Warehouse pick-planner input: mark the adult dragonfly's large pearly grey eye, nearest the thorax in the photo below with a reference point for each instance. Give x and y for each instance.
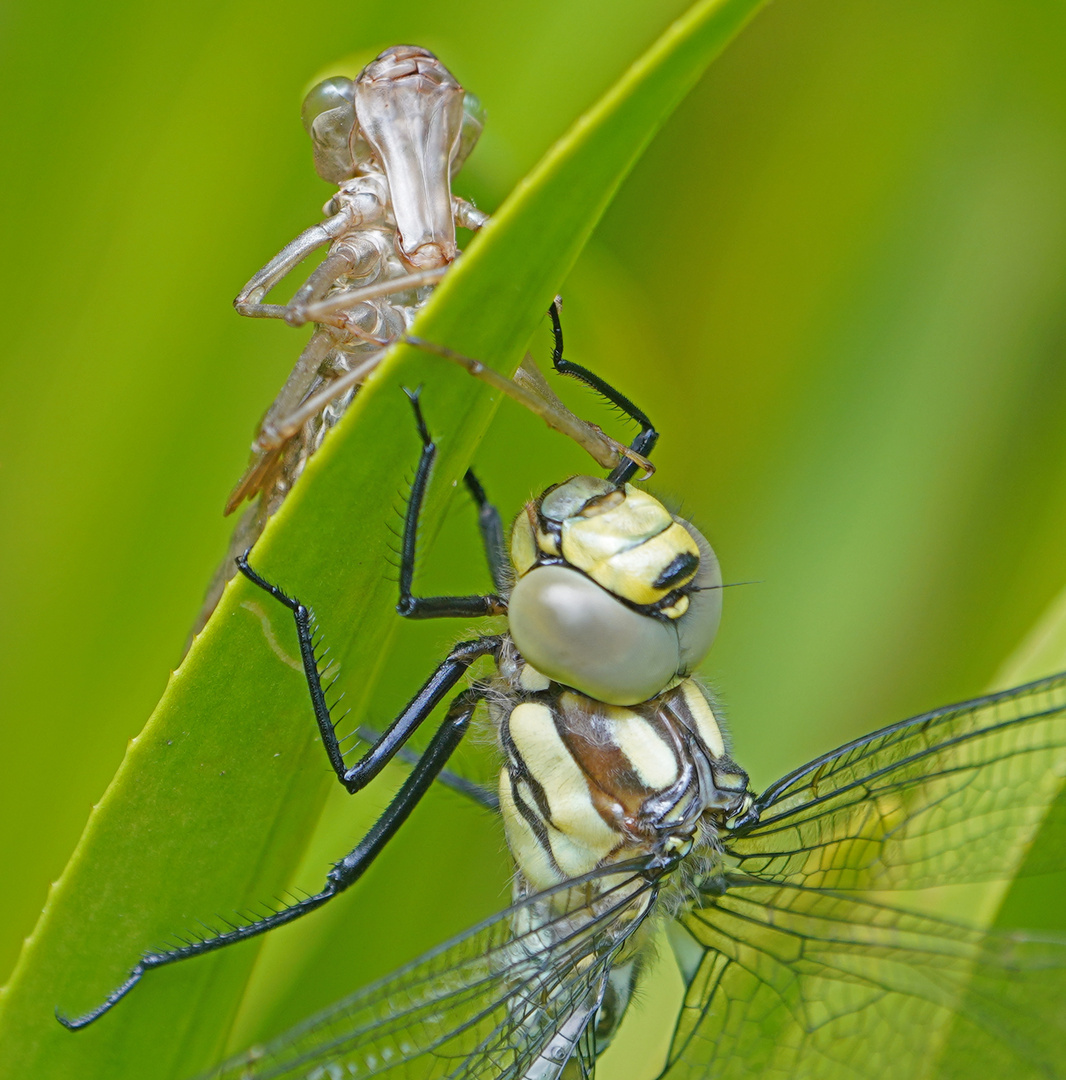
(578, 634)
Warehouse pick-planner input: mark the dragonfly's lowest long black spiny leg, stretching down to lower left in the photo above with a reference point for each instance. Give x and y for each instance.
(344, 874)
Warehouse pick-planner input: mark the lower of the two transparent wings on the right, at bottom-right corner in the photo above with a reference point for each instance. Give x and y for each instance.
(799, 983)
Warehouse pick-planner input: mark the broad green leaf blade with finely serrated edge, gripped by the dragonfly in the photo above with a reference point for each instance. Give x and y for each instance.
(214, 801)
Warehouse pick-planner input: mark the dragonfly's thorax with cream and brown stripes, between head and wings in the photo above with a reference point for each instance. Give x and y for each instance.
(587, 784)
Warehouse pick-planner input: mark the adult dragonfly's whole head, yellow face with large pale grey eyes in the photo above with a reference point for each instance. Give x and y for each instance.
(615, 596)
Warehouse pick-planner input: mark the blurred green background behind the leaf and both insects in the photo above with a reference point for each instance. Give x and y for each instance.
(836, 281)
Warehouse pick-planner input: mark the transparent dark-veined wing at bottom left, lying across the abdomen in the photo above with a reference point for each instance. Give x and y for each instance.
(511, 998)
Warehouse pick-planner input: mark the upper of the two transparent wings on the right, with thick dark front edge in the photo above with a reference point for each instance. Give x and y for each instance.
(955, 795)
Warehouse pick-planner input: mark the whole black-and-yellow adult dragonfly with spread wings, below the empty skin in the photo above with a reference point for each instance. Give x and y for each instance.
(799, 915)
